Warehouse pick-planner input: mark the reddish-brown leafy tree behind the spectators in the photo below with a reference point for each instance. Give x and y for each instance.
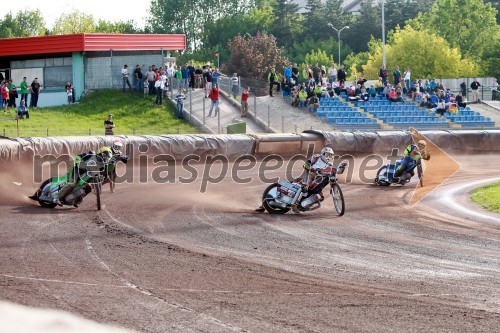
(252, 56)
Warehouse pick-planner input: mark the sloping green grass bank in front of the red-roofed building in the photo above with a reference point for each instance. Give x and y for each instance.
(132, 114)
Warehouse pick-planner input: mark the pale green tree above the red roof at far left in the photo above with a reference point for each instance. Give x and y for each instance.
(26, 23)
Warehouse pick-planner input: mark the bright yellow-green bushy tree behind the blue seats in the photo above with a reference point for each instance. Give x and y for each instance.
(428, 55)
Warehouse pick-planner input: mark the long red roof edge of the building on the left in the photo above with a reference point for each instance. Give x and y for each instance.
(90, 42)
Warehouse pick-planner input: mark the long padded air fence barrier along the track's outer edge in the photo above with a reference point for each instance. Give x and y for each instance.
(235, 146)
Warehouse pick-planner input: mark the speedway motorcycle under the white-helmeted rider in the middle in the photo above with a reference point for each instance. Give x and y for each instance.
(279, 197)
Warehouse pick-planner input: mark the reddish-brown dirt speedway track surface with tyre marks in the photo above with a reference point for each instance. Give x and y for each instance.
(165, 258)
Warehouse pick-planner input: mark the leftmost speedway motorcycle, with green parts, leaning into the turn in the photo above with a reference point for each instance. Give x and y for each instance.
(89, 172)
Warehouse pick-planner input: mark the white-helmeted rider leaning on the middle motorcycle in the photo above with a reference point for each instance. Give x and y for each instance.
(311, 167)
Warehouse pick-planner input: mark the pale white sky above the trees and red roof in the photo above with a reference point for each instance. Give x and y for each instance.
(109, 10)
